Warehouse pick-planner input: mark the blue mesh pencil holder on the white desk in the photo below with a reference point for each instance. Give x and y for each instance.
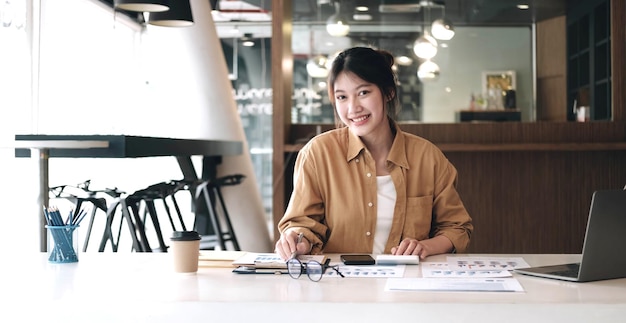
(62, 243)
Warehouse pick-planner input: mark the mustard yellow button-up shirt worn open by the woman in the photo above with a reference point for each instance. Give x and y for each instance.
(334, 196)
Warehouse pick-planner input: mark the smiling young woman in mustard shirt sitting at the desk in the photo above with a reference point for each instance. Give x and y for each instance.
(369, 187)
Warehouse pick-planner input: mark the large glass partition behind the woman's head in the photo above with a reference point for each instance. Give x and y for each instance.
(463, 62)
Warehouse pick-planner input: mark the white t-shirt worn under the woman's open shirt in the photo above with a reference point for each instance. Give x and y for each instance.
(386, 202)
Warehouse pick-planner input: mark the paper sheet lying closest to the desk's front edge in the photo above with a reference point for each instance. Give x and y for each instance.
(454, 284)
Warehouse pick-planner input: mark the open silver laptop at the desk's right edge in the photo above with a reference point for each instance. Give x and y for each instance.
(604, 248)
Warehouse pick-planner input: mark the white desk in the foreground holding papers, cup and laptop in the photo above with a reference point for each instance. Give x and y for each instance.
(140, 287)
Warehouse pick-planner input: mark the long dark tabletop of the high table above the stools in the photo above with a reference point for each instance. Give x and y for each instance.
(122, 146)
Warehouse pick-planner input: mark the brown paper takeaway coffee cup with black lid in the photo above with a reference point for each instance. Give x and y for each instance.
(185, 248)
